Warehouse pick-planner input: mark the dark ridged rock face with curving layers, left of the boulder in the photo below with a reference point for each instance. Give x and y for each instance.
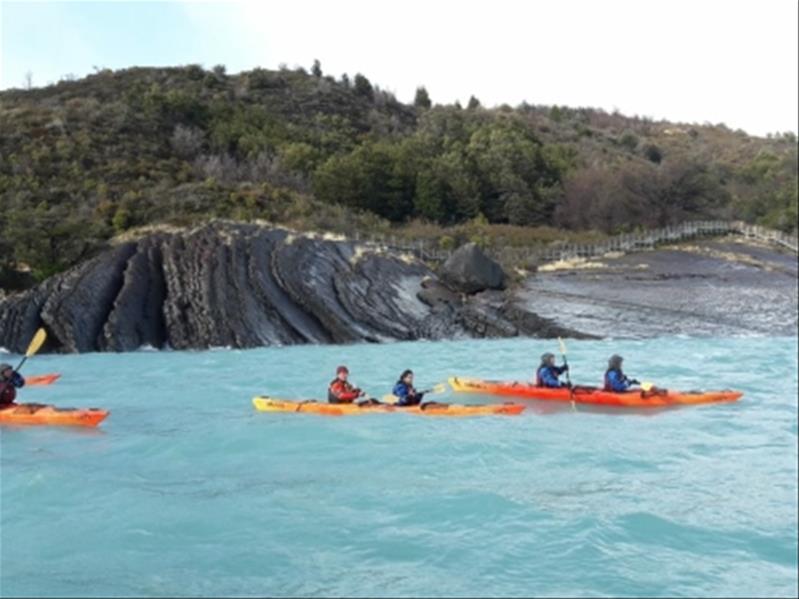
(247, 286)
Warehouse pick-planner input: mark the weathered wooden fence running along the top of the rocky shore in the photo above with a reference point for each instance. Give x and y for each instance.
(632, 242)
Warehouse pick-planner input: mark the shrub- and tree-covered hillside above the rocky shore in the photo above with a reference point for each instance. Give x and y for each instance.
(82, 161)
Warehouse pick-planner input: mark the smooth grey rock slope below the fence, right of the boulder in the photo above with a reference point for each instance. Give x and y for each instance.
(715, 287)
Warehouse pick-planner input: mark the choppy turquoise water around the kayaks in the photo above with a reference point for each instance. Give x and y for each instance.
(185, 490)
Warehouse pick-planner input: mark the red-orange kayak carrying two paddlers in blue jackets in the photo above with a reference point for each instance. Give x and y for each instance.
(593, 395)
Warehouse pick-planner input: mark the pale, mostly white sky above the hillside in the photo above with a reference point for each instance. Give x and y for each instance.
(719, 61)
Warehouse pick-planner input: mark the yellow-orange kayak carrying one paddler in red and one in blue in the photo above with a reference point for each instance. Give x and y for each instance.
(271, 404)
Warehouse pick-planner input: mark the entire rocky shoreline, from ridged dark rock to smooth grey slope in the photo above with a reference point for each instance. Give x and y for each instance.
(245, 285)
